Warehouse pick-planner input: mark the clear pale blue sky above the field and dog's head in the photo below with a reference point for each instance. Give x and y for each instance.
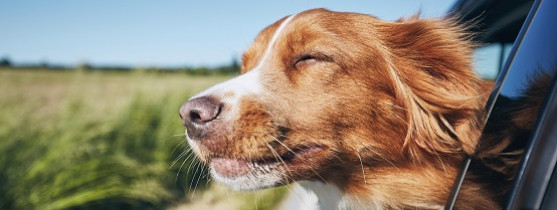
(160, 33)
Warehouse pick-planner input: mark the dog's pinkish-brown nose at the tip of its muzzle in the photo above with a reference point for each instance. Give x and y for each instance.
(199, 111)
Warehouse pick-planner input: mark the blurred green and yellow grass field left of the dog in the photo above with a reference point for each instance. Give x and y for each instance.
(104, 140)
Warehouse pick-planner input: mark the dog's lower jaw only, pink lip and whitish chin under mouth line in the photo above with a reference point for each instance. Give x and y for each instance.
(285, 165)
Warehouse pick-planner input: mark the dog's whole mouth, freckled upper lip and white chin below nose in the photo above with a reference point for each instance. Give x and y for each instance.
(261, 156)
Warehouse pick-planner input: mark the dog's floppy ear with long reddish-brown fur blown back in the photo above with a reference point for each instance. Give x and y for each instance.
(430, 65)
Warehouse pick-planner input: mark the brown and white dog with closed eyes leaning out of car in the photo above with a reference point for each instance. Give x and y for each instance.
(365, 113)
